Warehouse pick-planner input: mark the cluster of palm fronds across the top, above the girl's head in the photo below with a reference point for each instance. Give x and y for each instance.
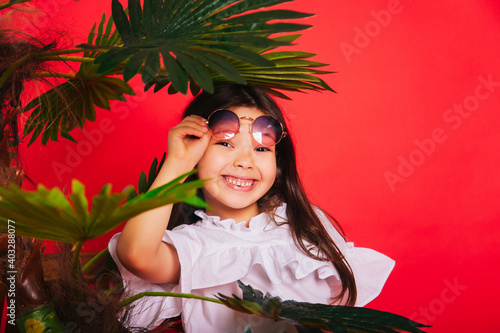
(197, 42)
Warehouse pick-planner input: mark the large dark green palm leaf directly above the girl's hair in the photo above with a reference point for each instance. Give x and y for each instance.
(197, 40)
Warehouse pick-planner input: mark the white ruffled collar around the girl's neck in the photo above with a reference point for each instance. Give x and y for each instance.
(258, 222)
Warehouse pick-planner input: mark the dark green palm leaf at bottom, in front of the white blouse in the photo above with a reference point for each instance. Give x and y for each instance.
(309, 317)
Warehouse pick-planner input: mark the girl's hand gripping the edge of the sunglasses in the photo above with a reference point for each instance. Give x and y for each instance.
(187, 143)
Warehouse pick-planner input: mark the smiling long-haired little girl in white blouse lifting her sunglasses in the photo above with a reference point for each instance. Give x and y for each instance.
(260, 227)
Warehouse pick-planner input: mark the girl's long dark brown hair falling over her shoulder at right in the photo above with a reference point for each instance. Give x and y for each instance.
(304, 223)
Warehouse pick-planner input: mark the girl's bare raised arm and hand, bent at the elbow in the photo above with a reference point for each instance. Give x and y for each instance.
(187, 143)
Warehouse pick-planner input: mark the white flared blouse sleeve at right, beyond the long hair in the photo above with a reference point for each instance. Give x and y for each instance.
(371, 268)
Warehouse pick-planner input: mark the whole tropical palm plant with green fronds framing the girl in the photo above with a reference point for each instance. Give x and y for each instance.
(183, 46)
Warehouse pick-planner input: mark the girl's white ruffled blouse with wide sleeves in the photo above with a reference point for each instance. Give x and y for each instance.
(214, 254)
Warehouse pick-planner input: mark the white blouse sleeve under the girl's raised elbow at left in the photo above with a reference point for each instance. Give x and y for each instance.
(146, 312)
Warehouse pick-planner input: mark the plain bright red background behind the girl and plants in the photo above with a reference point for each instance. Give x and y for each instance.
(398, 80)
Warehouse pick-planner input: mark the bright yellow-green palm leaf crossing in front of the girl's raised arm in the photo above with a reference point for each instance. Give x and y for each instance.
(48, 214)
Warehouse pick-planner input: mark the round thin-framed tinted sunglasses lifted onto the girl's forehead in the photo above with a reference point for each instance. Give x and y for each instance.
(225, 124)
